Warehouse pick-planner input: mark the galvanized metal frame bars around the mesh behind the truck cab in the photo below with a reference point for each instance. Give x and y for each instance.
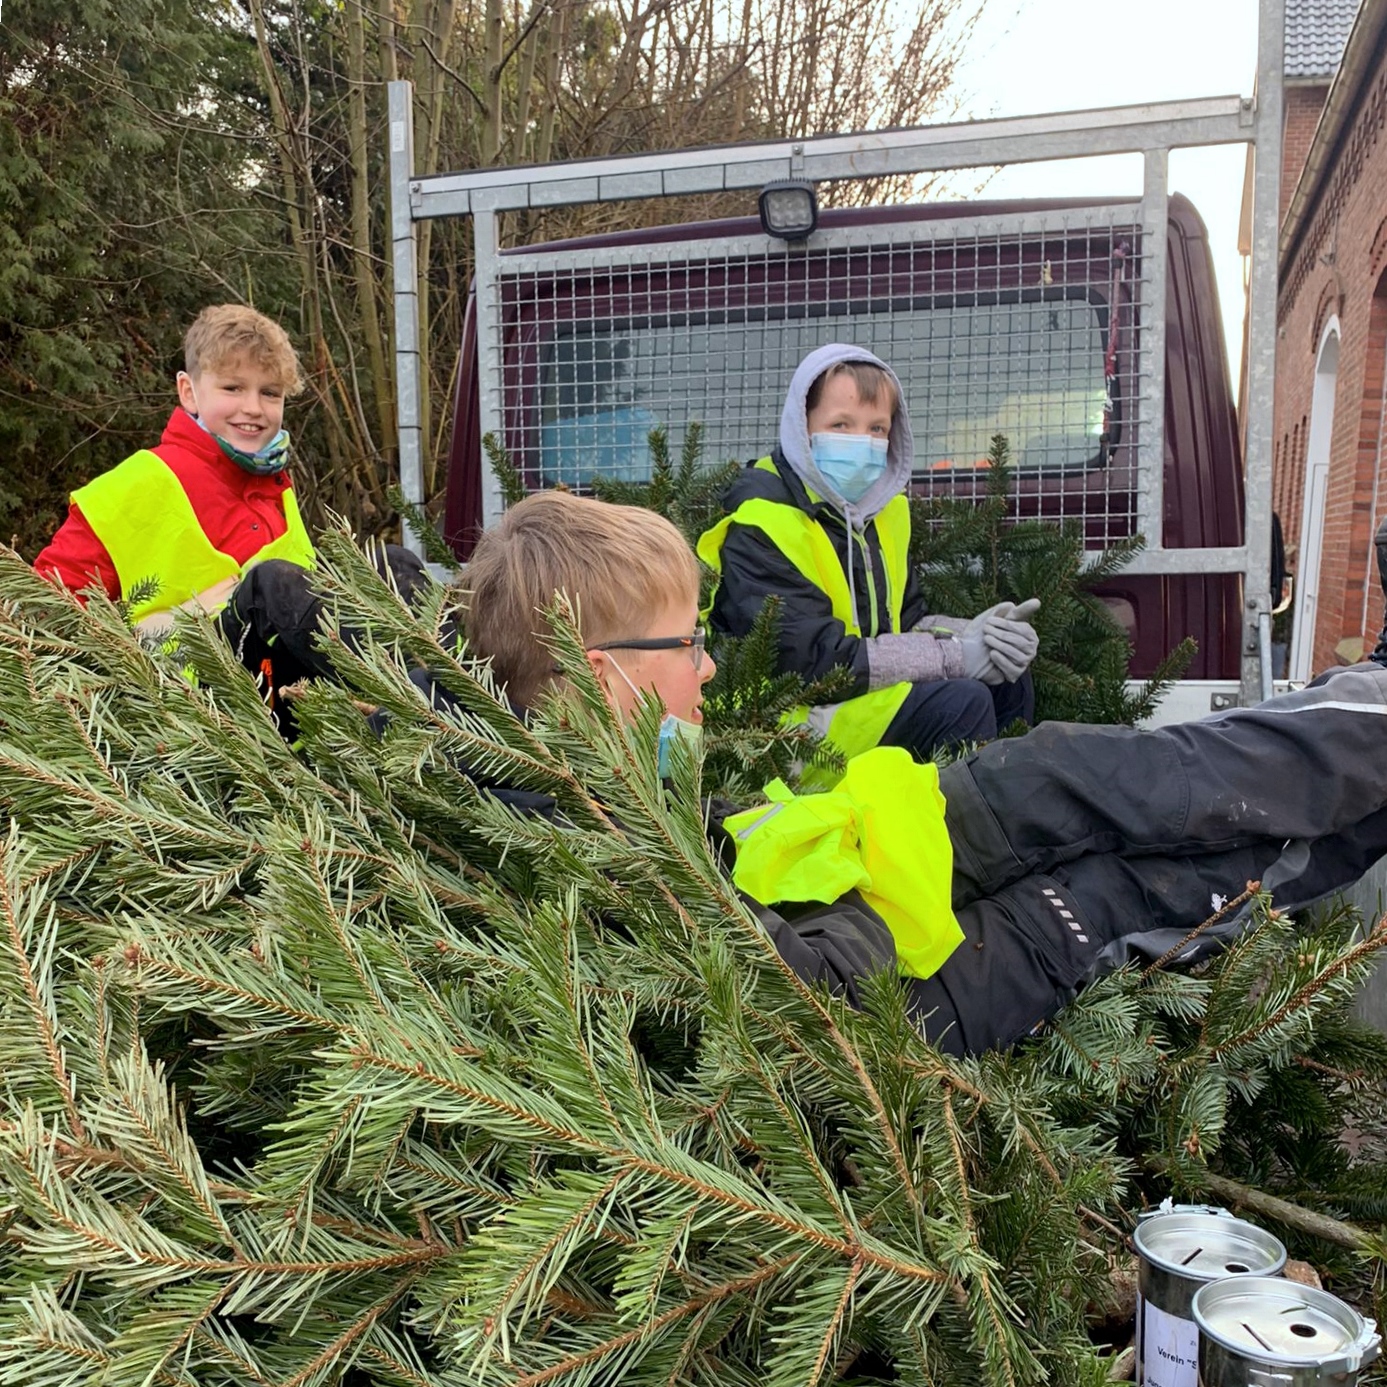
(1152, 130)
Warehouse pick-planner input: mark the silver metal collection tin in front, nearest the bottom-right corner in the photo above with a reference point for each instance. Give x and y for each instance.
(1267, 1332)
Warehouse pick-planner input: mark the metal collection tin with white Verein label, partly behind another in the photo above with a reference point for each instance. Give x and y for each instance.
(1181, 1249)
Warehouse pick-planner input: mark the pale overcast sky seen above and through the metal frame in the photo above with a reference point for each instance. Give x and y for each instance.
(1033, 56)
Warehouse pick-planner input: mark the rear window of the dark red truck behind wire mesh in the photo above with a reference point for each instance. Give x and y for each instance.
(1028, 364)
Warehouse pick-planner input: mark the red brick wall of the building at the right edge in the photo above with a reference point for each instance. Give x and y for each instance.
(1339, 270)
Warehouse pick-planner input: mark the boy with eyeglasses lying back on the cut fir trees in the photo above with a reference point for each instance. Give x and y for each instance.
(1042, 862)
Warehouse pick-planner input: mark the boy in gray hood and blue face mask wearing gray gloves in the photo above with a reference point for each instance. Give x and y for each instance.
(825, 525)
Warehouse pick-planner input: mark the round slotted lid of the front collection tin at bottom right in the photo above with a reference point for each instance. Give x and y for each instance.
(1282, 1323)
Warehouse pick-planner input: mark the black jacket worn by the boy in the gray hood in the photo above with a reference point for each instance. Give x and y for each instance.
(812, 641)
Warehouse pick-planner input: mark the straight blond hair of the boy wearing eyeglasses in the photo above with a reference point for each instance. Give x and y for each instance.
(621, 567)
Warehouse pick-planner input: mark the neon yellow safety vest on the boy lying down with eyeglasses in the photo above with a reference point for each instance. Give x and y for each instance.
(881, 832)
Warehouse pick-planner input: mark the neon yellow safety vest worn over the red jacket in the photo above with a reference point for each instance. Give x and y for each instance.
(144, 517)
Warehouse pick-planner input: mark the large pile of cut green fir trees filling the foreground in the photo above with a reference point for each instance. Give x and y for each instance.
(325, 1065)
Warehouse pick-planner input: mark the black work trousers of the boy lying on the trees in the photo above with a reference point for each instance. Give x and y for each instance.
(1078, 848)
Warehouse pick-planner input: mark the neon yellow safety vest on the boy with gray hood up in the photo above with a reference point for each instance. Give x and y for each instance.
(858, 725)
